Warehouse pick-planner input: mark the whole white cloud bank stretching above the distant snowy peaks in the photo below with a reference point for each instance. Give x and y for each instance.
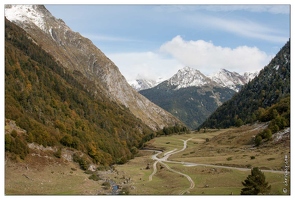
(178, 53)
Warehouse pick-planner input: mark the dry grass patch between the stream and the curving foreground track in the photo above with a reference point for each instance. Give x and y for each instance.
(163, 182)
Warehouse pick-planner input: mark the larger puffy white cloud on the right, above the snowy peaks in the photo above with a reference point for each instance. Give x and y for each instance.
(208, 58)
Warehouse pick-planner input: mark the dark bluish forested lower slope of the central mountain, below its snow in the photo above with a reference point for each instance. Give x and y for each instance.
(192, 105)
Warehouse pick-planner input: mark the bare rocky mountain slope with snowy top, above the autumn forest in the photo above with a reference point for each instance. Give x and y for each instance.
(80, 56)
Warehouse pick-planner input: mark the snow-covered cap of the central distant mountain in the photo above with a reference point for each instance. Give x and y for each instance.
(187, 77)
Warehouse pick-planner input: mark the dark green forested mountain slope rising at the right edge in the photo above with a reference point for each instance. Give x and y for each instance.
(269, 88)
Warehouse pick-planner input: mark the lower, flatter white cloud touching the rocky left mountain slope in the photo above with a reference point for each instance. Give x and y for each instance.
(150, 65)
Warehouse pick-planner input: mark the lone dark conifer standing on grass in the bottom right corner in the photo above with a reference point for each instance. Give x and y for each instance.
(255, 183)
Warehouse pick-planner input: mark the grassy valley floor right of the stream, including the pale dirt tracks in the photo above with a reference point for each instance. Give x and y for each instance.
(190, 165)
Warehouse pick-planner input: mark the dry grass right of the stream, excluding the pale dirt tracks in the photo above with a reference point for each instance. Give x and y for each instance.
(225, 147)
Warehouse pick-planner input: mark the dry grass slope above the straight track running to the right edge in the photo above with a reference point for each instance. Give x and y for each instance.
(233, 147)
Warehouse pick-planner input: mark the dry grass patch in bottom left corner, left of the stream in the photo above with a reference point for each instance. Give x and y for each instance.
(47, 176)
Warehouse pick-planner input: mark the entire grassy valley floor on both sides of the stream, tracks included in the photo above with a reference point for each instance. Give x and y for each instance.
(199, 163)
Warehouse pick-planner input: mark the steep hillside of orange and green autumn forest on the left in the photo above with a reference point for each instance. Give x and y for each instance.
(56, 108)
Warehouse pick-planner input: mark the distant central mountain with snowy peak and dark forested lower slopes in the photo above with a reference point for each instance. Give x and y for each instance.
(189, 95)
